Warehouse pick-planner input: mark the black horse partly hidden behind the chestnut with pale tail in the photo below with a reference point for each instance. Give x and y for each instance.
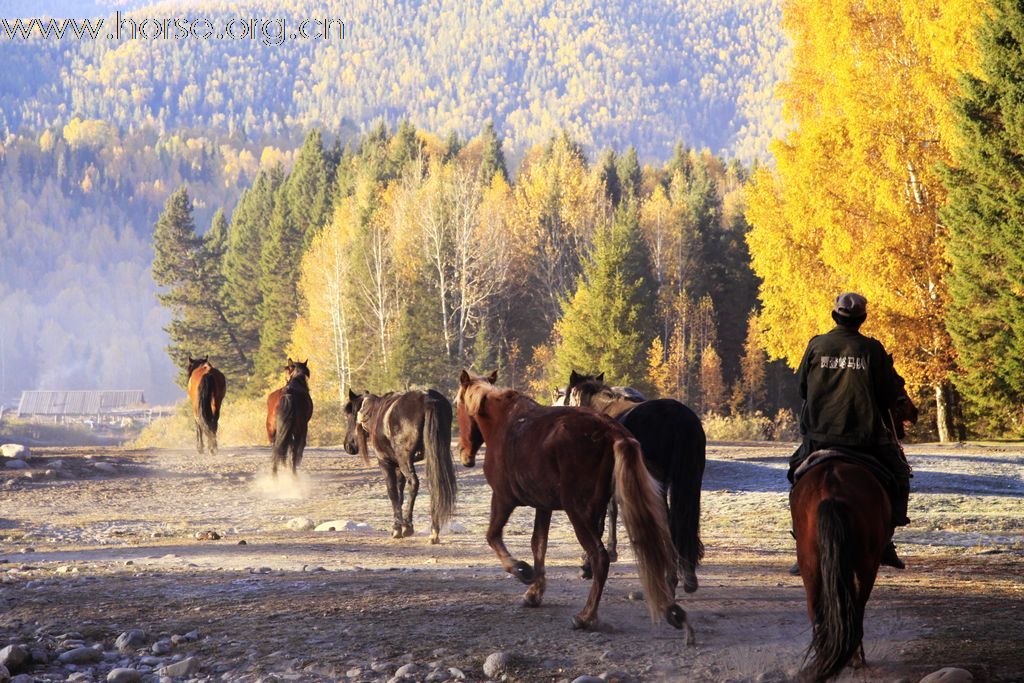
(674, 443)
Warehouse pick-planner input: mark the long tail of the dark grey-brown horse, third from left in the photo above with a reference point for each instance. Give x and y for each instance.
(438, 455)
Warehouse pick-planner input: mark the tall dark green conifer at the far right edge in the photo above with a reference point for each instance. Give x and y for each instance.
(986, 216)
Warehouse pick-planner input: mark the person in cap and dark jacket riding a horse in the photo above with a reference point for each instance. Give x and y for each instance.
(849, 387)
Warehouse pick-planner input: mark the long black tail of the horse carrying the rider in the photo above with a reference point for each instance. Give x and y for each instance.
(839, 624)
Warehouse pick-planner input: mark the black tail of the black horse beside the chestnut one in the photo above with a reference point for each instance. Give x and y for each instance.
(686, 480)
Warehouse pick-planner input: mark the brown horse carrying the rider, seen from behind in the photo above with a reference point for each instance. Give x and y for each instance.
(842, 518)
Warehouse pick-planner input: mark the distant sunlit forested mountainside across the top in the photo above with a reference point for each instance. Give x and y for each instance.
(612, 73)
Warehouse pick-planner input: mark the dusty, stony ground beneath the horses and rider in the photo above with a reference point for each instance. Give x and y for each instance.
(154, 566)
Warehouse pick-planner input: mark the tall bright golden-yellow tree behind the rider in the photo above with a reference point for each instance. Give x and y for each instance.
(852, 203)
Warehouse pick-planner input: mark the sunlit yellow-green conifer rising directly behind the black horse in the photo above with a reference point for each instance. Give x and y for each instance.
(606, 325)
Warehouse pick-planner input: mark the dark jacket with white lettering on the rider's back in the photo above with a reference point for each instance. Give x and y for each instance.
(847, 382)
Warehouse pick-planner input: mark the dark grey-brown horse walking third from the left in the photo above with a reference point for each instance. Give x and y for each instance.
(405, 429)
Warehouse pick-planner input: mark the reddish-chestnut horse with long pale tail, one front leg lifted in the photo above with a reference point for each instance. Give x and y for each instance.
(551, 458)
